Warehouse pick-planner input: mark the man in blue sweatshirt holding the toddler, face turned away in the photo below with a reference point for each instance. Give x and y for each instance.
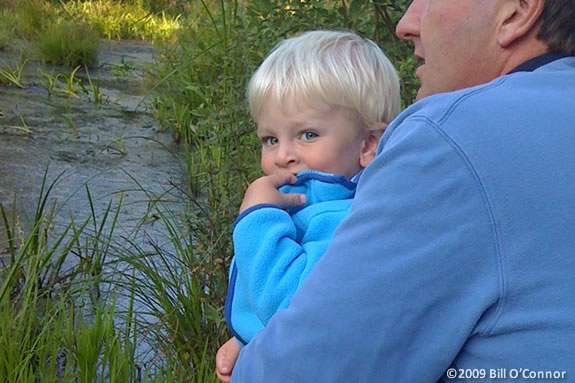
(458, 259)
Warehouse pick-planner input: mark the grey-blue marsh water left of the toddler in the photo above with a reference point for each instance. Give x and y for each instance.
(112, 149)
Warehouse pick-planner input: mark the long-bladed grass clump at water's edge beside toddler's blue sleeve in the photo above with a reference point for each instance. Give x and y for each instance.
(175, 287)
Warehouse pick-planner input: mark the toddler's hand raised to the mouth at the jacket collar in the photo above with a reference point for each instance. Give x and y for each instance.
(265, 190)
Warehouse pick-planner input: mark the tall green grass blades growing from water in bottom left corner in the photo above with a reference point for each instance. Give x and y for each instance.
(47, 333)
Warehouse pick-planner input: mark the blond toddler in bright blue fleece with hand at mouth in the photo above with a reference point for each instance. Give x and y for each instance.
(320, 101)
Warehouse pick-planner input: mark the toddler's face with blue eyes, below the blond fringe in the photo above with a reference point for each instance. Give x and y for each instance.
(325, 138)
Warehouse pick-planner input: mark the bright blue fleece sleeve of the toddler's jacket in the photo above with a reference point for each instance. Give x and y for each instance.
(270, 258)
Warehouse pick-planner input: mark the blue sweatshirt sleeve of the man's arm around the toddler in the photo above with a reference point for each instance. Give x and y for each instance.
(410, 275)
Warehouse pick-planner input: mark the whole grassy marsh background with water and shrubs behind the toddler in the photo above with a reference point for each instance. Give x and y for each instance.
(121, 276)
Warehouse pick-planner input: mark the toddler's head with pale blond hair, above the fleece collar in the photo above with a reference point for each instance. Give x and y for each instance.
(320, 99)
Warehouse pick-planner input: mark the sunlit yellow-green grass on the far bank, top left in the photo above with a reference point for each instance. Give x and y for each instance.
(67, 32)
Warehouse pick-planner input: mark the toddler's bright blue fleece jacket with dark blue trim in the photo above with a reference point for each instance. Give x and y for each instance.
(276, 249)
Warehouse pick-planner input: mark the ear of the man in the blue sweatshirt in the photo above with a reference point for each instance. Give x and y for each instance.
(519, 18)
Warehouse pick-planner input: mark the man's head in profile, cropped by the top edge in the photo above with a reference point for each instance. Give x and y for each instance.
(463, 43)
